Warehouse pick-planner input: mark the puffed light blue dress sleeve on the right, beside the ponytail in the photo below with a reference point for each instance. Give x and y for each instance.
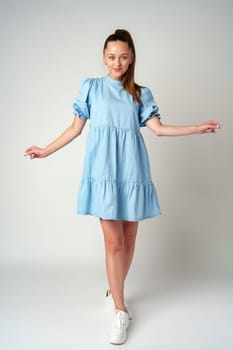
(148, 107)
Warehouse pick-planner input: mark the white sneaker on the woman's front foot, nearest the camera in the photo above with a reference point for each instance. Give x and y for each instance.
(119, 327)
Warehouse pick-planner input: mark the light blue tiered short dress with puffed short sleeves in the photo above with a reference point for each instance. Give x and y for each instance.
(116, 181)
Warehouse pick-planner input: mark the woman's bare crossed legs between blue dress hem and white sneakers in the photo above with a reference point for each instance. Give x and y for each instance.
(119, 240)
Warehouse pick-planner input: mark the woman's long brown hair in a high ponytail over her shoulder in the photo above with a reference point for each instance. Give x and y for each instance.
(128, 77)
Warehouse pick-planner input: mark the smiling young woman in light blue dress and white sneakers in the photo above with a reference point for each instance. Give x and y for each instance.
(116, 185)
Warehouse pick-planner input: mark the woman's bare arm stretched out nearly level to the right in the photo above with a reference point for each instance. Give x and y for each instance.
(155, 125)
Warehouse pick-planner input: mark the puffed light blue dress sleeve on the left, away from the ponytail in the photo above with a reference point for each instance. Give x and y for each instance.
(81, 105)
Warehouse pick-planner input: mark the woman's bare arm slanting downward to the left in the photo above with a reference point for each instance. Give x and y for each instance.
(74, 130)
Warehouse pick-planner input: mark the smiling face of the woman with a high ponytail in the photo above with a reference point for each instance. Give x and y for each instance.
(117, 58)
